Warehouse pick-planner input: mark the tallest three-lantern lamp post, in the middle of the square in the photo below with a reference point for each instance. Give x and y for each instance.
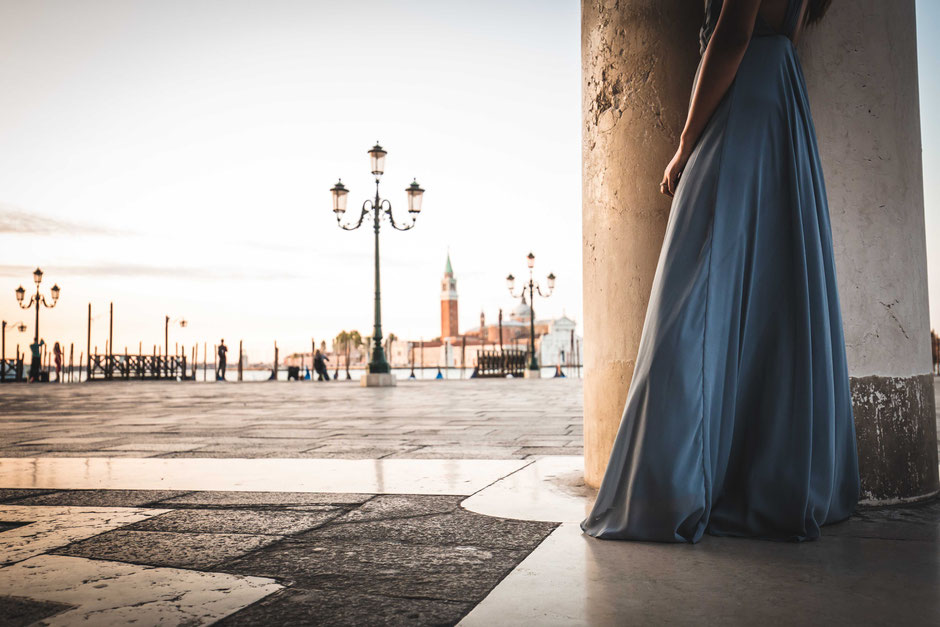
(379, 374)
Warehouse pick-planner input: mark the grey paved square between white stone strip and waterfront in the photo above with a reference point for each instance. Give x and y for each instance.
(469, 419)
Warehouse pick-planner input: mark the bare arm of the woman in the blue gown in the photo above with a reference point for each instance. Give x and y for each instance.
(719, 66)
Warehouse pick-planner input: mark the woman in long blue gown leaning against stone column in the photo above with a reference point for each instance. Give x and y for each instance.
(738, 419)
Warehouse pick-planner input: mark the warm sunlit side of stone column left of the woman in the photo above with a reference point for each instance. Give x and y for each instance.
(638, 59)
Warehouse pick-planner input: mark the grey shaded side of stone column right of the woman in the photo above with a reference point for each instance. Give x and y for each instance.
(861, 69)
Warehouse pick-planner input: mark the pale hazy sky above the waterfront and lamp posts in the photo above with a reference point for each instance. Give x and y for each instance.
(175, 158)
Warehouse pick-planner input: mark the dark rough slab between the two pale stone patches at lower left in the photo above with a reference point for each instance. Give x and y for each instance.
(197, 551)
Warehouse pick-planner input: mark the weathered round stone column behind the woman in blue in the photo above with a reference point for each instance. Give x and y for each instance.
(638, 59)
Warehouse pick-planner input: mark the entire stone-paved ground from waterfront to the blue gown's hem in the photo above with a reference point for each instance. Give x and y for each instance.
(430, 503)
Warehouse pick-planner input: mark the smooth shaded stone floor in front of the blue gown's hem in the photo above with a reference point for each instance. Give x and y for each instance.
(575, 579)
